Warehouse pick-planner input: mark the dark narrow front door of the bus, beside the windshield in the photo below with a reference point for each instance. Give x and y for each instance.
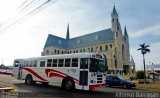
(84, 73)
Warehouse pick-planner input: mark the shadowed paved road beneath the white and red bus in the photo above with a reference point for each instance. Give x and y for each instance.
(58, 92)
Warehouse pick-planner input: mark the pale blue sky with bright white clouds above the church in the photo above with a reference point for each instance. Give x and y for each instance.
(27, 37)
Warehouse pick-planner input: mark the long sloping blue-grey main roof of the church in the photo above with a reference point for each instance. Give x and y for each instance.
(85, 40)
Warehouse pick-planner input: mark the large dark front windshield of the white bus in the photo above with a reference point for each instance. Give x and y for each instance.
(97, 65)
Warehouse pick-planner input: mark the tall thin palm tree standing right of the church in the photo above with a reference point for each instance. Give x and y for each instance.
(144, 49)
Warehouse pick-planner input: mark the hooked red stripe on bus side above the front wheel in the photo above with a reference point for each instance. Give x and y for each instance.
(52, 73)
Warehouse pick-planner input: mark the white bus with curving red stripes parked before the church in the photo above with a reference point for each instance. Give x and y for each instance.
(84, 71)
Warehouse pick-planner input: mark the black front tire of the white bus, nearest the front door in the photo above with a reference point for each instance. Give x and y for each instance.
(68, 84)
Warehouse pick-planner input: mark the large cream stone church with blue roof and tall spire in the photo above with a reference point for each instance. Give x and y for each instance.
(112, 42)
